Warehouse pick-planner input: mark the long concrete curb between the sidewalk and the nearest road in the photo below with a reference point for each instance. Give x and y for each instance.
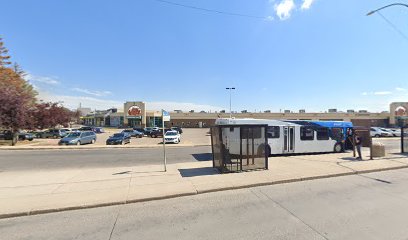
(45, 211)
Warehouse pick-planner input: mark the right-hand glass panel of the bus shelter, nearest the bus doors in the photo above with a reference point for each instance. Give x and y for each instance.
(253, 148)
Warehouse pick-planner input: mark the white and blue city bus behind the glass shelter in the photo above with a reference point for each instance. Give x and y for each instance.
(291, 136)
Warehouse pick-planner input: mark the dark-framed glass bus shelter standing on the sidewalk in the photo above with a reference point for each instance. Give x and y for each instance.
(237, 148)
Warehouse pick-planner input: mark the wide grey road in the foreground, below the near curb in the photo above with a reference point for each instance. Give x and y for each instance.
(370, 206)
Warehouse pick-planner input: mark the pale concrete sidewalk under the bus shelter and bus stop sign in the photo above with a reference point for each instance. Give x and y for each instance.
(34, 192)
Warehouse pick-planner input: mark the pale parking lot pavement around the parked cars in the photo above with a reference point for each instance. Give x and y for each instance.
(190, 136)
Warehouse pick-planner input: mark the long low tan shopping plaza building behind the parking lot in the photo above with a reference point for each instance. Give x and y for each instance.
(136, 114)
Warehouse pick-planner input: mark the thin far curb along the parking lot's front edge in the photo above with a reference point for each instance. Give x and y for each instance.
(98, 148)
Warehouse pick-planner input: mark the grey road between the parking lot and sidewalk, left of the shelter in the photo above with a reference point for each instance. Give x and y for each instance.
(64, 159)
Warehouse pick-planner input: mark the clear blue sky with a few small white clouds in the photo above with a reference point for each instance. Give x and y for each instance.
(278, 54)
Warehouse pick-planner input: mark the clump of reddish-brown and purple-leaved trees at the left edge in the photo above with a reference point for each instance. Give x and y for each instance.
(19, 108)
